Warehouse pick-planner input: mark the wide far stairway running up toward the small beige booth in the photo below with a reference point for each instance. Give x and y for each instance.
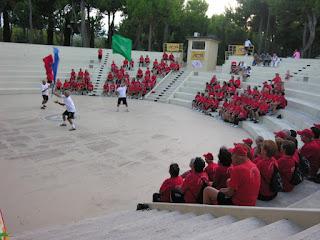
(167, 86)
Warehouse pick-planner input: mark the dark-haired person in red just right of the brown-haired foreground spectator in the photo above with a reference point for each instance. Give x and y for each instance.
(287, 164)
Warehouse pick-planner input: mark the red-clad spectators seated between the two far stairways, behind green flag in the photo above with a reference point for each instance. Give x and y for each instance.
(143, 82)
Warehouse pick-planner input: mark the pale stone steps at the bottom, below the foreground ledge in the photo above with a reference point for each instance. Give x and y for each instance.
(164, 224)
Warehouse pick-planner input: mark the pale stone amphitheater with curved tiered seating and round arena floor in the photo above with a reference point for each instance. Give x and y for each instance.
(86, 184)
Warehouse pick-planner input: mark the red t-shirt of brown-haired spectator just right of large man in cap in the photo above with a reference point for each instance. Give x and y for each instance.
(266, 168)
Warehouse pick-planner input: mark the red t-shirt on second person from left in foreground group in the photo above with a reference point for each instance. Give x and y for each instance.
(192, 186)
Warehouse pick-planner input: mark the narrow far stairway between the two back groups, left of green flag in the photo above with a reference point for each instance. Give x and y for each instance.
(99, 77)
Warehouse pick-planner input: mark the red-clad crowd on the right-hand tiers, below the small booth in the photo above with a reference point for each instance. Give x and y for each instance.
(234, 107)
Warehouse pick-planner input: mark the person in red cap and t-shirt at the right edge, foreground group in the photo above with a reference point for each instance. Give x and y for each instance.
(311, 151)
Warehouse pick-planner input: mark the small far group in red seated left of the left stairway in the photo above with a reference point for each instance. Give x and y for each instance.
(78, 83)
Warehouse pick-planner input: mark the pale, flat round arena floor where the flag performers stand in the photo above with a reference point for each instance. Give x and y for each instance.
(113, 161)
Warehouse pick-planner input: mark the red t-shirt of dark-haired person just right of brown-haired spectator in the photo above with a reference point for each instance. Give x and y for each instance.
(286, 168)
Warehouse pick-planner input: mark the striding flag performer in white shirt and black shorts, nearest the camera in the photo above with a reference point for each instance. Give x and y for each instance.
(71, 109)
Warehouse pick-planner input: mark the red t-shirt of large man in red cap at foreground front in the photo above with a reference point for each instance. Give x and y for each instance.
(245, 181)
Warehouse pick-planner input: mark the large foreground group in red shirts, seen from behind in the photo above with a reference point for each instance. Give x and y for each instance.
(244, 174)
